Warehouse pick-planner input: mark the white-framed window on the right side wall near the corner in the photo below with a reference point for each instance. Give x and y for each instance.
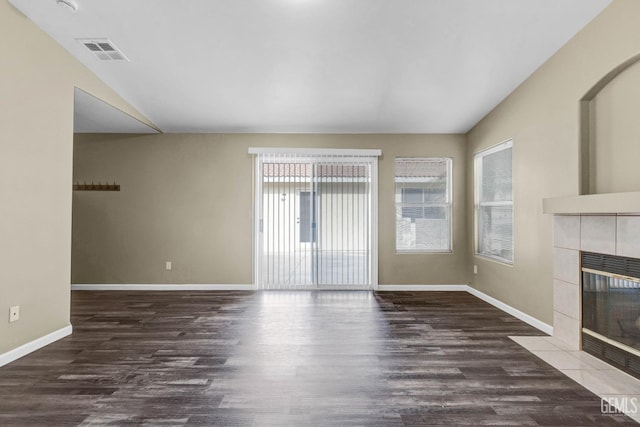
(494, 203)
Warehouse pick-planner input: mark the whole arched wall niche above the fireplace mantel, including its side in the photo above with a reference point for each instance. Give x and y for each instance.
(610, 132)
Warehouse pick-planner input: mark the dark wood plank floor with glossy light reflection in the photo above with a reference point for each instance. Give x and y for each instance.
(291, 358)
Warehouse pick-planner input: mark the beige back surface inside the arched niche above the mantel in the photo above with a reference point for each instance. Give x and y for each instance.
(616, 133)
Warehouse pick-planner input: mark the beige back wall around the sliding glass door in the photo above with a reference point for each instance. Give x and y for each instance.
(187, 198)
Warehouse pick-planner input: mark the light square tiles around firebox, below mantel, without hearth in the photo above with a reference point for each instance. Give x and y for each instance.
(614, 234)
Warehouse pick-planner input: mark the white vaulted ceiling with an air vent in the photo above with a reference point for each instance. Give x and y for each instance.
(325, 66)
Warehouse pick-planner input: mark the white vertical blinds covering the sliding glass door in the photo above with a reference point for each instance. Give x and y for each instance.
(315, 221)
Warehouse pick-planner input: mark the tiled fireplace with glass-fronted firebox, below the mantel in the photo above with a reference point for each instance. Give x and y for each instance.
(584, 248)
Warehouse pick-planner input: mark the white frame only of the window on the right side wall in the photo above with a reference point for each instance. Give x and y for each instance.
(477, 162)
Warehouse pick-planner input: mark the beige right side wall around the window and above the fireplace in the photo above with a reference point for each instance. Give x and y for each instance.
(542, 118)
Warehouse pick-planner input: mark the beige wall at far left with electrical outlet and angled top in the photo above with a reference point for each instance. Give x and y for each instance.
(37, 79)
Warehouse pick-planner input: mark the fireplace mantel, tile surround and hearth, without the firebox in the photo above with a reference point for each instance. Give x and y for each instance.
(602, 223)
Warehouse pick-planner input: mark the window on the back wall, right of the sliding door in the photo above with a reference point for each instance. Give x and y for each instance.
(423, 204)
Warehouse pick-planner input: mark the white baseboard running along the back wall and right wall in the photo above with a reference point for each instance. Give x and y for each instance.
(547, 329)
